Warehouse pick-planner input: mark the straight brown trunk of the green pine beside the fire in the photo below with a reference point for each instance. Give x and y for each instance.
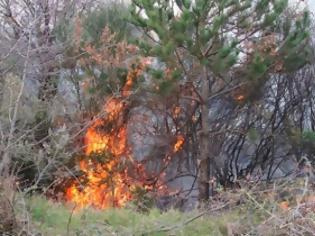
(204, 161)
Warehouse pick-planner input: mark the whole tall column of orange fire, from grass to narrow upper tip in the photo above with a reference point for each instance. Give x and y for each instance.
(105, 181)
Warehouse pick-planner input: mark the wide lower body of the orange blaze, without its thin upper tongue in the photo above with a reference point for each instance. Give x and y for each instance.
(107, 186)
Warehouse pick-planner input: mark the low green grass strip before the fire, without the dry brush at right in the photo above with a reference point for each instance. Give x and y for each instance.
(51, 218)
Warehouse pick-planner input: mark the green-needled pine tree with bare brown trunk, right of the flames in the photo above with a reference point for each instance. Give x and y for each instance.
(220, 38)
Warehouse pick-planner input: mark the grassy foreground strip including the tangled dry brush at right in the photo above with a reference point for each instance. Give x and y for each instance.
(254, 211)
